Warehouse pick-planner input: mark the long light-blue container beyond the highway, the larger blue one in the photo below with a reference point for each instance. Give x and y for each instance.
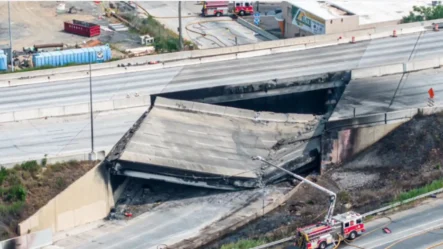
(73, 56)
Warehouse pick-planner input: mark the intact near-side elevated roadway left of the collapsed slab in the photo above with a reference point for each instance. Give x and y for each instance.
(33, 139)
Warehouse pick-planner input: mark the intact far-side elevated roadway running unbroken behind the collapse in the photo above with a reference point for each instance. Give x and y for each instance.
(284, 65)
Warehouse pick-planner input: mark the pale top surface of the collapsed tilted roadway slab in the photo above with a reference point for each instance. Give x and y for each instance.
(215, 140)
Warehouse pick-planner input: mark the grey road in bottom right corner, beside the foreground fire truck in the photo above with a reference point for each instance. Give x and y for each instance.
(417, 228)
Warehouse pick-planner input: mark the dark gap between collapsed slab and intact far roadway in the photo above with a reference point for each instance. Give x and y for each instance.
(314, 94)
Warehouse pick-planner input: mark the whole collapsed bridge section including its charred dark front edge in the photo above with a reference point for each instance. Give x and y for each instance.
(211, 146)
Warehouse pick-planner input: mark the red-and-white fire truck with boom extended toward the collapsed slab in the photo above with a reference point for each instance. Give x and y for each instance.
(321, 235)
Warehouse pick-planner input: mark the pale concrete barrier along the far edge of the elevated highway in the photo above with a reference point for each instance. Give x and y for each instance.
(298, 43)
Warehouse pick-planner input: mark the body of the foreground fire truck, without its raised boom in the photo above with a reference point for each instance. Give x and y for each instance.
(319, 236)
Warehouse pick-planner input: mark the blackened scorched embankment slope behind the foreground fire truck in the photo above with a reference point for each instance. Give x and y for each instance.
(408, 158)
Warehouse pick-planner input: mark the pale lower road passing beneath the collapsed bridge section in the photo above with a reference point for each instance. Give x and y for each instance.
(172, 221)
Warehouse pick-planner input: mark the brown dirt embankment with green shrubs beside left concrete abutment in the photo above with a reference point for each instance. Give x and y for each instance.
(27, 187)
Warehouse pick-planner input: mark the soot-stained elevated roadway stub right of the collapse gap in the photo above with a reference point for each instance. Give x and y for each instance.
(383, 94)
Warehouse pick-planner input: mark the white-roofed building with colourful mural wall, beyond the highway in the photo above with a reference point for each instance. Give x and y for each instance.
(310, 17)
